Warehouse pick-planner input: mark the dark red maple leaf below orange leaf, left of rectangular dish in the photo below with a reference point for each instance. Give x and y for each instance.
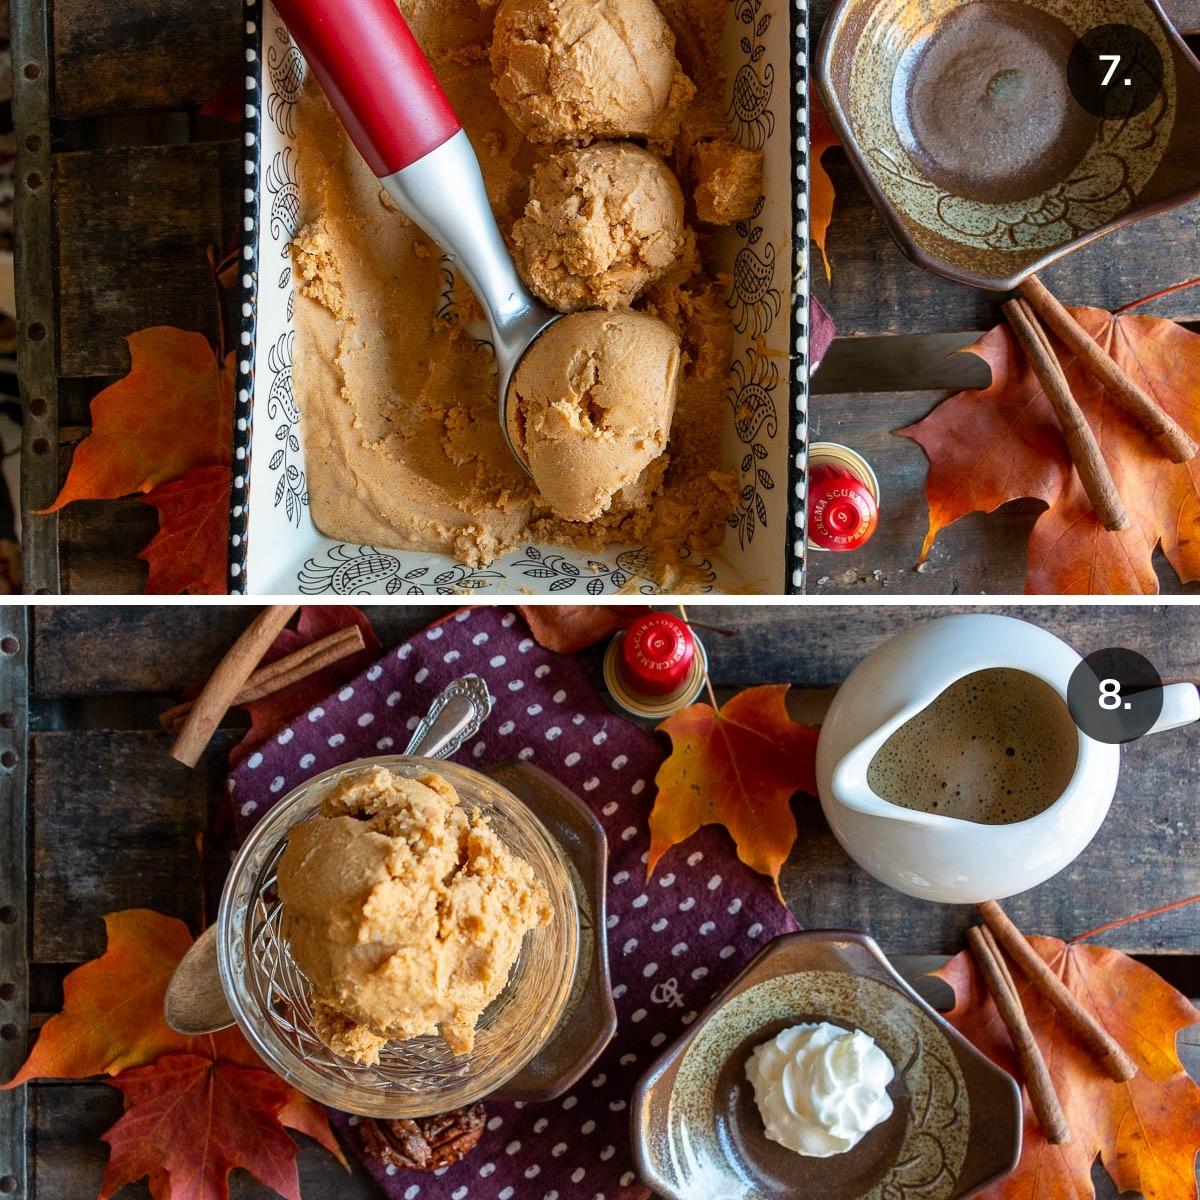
(190, 553)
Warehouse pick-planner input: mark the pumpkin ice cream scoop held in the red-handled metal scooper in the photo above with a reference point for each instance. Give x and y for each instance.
(591, 406)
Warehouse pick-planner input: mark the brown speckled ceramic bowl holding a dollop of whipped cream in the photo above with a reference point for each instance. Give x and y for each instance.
(957, 1120)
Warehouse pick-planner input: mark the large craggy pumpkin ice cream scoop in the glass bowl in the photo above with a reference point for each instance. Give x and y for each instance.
(405, 913)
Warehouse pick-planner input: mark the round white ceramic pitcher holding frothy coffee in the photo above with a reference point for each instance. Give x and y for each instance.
(945, 859)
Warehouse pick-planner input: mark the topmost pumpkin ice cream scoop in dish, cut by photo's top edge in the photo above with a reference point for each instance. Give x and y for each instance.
(575, 70)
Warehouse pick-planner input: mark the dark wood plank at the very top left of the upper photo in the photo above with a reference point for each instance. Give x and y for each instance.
(119, 58)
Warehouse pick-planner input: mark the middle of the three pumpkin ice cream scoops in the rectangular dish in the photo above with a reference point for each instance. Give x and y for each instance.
(602, 225)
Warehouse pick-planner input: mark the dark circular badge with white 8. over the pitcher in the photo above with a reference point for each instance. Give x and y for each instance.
(1115, 695)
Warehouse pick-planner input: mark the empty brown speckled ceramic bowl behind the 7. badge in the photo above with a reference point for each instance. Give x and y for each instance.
(962, 125)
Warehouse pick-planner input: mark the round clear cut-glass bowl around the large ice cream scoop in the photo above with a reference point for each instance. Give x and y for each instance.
(271, 997)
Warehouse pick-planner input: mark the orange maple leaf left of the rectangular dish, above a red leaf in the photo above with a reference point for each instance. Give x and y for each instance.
(171, 415)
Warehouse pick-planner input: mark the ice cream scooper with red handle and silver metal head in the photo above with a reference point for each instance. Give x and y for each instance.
(381, 86)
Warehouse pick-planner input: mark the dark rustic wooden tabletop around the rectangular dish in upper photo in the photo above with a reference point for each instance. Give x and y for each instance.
(122, 188)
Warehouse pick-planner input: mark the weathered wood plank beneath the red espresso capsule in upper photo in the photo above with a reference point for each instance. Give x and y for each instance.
(981, 554)
